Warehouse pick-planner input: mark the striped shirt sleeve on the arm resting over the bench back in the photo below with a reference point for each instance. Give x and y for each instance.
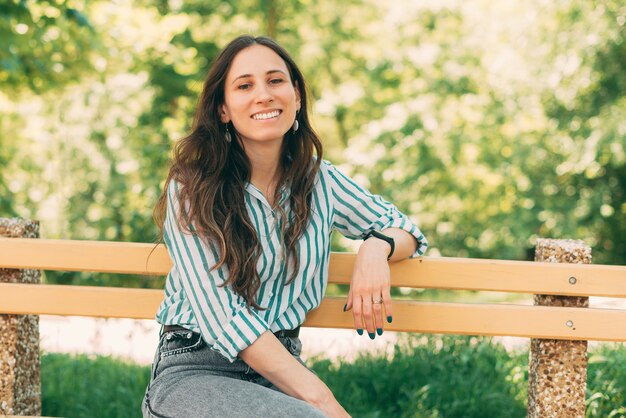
(356, 211)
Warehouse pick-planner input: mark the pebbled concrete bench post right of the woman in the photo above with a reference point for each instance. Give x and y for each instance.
(557, 378)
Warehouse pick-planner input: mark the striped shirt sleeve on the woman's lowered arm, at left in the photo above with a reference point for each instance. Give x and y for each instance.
(223, 318)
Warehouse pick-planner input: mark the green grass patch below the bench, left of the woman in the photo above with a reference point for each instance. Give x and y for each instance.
(91, 386)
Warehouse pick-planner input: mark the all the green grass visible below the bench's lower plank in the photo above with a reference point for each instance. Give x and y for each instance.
(428, 376)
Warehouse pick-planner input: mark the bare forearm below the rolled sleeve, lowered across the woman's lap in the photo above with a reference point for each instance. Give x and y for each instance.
(268, 357)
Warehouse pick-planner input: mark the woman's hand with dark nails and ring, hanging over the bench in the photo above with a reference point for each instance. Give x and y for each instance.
(370, 283)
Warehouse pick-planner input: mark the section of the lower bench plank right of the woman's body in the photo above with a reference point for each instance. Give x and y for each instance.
(487, 319)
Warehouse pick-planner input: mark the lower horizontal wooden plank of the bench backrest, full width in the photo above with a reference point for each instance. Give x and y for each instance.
(428, 317)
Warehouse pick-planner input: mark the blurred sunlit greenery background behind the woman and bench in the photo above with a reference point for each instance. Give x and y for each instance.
(491, 123)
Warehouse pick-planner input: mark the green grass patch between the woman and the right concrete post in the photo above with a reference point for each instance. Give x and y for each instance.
(431, 377)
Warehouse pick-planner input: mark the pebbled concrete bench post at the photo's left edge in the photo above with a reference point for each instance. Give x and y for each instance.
(20, 386)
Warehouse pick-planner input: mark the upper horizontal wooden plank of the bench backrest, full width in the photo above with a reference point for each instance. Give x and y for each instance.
(424, 272)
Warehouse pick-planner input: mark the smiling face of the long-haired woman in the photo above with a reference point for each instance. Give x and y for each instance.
(259, 97)
